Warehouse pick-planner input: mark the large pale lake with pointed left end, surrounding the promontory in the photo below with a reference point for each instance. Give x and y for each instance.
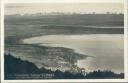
(107, 49)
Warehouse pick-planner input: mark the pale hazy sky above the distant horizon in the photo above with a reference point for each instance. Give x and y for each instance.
(30, 8)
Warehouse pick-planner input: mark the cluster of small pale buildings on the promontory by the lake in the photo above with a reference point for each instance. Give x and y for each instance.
(66, 66)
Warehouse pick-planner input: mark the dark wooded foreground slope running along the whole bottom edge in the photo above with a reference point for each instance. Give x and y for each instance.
(15, 68)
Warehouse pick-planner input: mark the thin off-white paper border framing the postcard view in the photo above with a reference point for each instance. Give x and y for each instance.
(70, 80)
